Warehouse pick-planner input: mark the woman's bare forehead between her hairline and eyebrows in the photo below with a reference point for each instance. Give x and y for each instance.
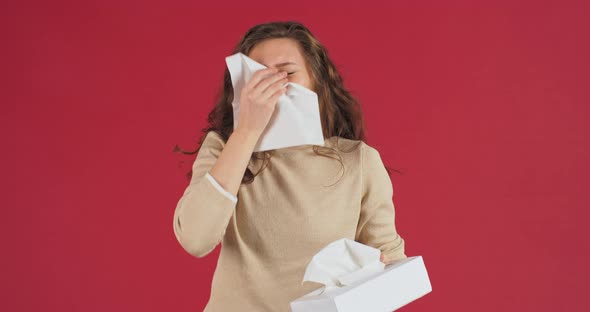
(271, 52)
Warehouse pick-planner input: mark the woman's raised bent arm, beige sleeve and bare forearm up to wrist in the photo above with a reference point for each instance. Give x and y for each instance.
(204, 210)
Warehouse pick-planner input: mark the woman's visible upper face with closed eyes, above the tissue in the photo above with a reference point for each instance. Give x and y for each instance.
(285, 55)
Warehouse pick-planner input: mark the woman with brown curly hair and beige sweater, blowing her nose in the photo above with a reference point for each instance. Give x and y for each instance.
(273, 210)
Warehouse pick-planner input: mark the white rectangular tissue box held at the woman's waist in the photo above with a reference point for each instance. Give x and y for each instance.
(402, 282)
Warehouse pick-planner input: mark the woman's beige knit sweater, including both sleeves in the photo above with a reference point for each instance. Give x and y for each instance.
(270, 231)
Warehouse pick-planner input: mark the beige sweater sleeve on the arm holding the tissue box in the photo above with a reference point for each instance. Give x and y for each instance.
(376, 227)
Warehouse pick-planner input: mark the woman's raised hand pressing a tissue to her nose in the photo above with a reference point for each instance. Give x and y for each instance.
(258, 99)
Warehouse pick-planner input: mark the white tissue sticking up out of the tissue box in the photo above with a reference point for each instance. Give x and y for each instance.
(342, 263)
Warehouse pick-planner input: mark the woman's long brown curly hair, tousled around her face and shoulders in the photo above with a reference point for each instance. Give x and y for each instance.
(340, 113)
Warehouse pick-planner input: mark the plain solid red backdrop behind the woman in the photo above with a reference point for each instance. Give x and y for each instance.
(483, 105)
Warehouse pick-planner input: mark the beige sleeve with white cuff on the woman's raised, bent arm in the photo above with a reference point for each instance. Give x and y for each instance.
(205, 208)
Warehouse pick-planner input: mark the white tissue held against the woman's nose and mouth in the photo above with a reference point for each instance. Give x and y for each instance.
(296, 119)
